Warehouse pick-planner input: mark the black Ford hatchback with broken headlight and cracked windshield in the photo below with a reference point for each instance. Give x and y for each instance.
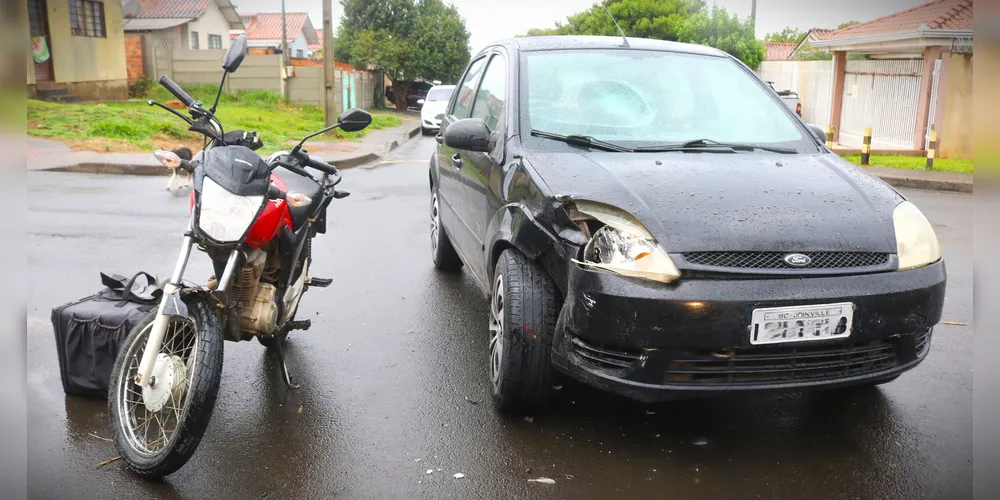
(651, 220)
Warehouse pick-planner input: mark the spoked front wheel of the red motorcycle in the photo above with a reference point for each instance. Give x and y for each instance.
(158, 428)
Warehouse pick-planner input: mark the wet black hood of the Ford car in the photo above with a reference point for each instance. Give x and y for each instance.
(733, 202)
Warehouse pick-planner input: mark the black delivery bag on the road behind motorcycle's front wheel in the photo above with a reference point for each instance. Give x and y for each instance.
(90, 331)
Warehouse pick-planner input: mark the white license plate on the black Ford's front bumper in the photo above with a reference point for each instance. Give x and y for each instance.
(775, 325)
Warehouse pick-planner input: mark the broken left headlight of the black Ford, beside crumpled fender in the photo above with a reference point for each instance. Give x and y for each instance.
(624, 246)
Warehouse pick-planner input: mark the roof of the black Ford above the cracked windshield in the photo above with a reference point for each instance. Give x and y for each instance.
(565, 42)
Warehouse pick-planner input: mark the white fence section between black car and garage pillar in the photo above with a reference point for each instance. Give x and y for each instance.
(812, 80)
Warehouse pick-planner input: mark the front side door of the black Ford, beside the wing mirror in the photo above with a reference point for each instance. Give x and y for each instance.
(489, 106)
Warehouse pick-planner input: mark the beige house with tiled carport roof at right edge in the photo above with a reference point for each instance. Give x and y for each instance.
(937, 37)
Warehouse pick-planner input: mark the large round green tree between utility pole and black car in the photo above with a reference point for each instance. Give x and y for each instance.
(407, 39)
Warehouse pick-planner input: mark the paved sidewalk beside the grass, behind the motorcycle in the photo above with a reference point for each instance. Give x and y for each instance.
(51, 155)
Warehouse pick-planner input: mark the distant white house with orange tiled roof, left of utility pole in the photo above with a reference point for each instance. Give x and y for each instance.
(263, 31)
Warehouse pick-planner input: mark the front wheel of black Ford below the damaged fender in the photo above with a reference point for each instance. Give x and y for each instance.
(524, 306)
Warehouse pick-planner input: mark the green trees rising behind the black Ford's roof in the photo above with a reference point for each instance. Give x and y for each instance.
(674, 20)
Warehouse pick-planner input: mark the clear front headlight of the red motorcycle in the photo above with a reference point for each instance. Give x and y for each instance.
(225, 216)
